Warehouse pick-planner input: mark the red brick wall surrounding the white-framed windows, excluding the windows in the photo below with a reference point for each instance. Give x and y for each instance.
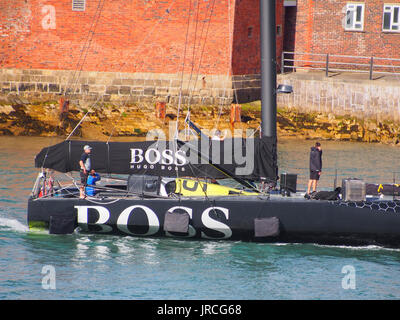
(320, 29)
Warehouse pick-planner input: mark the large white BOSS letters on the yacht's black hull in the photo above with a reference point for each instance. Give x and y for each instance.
(152, 220)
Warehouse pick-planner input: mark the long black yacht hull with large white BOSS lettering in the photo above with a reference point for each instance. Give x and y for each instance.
(300, 221)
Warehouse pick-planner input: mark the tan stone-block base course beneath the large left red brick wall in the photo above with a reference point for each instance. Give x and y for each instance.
(86, 87)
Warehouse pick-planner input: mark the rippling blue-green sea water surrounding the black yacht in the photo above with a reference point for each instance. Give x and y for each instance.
(80, 266)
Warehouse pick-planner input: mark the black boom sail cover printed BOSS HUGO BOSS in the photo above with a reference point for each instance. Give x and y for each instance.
(247, 158)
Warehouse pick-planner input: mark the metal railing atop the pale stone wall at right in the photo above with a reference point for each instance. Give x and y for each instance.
(339, 63)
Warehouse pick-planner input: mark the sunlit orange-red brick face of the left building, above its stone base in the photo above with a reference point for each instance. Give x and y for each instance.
(129, 35)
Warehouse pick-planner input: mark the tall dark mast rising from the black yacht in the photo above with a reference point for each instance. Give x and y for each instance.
(268, 67)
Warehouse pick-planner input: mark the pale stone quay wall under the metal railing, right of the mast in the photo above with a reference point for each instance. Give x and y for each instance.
(364, 99)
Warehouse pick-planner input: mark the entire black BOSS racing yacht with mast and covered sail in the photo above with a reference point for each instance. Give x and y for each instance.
(176, 188)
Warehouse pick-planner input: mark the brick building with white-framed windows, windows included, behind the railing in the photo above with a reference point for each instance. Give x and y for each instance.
(360, 29)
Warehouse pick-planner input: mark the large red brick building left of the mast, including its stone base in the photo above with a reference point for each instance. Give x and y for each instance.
(133, 50)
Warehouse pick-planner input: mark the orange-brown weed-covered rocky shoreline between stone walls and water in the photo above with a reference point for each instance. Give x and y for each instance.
(44, 119)
